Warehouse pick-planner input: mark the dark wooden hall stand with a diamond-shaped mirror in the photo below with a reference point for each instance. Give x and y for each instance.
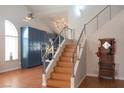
(106, 53)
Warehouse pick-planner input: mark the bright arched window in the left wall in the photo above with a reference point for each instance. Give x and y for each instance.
(11, 41)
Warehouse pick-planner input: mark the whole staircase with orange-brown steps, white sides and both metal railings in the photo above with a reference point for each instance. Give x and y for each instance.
(68, 67)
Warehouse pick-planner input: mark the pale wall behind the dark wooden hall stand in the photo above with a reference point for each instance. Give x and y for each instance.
(112, 29)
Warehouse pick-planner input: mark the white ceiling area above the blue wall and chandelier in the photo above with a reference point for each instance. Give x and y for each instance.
(47, 13)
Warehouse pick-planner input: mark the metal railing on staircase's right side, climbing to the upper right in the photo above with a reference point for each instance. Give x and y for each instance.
(83, 35)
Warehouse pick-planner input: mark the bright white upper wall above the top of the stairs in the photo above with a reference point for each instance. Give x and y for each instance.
(77, 22)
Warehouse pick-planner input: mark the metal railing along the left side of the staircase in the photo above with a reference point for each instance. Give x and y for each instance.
(54, 46)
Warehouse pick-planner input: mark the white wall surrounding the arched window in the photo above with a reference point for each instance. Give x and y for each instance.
(15, 14)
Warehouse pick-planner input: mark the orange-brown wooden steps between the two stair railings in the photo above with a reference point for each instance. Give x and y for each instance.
(60, 77)
